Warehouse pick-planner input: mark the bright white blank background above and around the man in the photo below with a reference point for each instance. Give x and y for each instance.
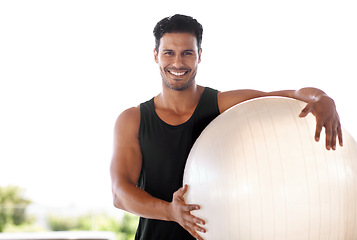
(68, 68)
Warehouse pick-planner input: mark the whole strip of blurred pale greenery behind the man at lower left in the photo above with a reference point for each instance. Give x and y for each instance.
(13, 218)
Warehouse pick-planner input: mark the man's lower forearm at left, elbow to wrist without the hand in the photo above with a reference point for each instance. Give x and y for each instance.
(137, 201)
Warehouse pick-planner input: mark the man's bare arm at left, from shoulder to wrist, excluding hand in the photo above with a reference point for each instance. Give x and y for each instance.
(125, 170)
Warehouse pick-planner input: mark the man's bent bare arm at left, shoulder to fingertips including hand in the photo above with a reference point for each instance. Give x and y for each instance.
(125, 171)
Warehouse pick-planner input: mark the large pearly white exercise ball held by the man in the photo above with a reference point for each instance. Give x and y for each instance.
(257, 173)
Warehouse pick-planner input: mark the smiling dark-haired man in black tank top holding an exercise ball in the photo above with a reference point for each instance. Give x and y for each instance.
(153, 140)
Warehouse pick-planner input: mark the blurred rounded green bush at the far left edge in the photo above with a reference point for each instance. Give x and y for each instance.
(13, 206)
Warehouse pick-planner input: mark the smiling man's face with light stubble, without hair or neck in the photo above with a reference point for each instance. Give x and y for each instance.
(178, 58)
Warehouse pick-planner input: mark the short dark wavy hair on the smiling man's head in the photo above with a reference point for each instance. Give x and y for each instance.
(178, 24)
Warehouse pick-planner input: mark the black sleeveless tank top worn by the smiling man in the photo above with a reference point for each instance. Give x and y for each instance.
(165, 149)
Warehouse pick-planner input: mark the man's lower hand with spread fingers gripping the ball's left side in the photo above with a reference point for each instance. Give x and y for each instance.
(181, 213)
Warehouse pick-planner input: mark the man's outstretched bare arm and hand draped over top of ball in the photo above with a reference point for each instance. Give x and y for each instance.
(318, 103)
